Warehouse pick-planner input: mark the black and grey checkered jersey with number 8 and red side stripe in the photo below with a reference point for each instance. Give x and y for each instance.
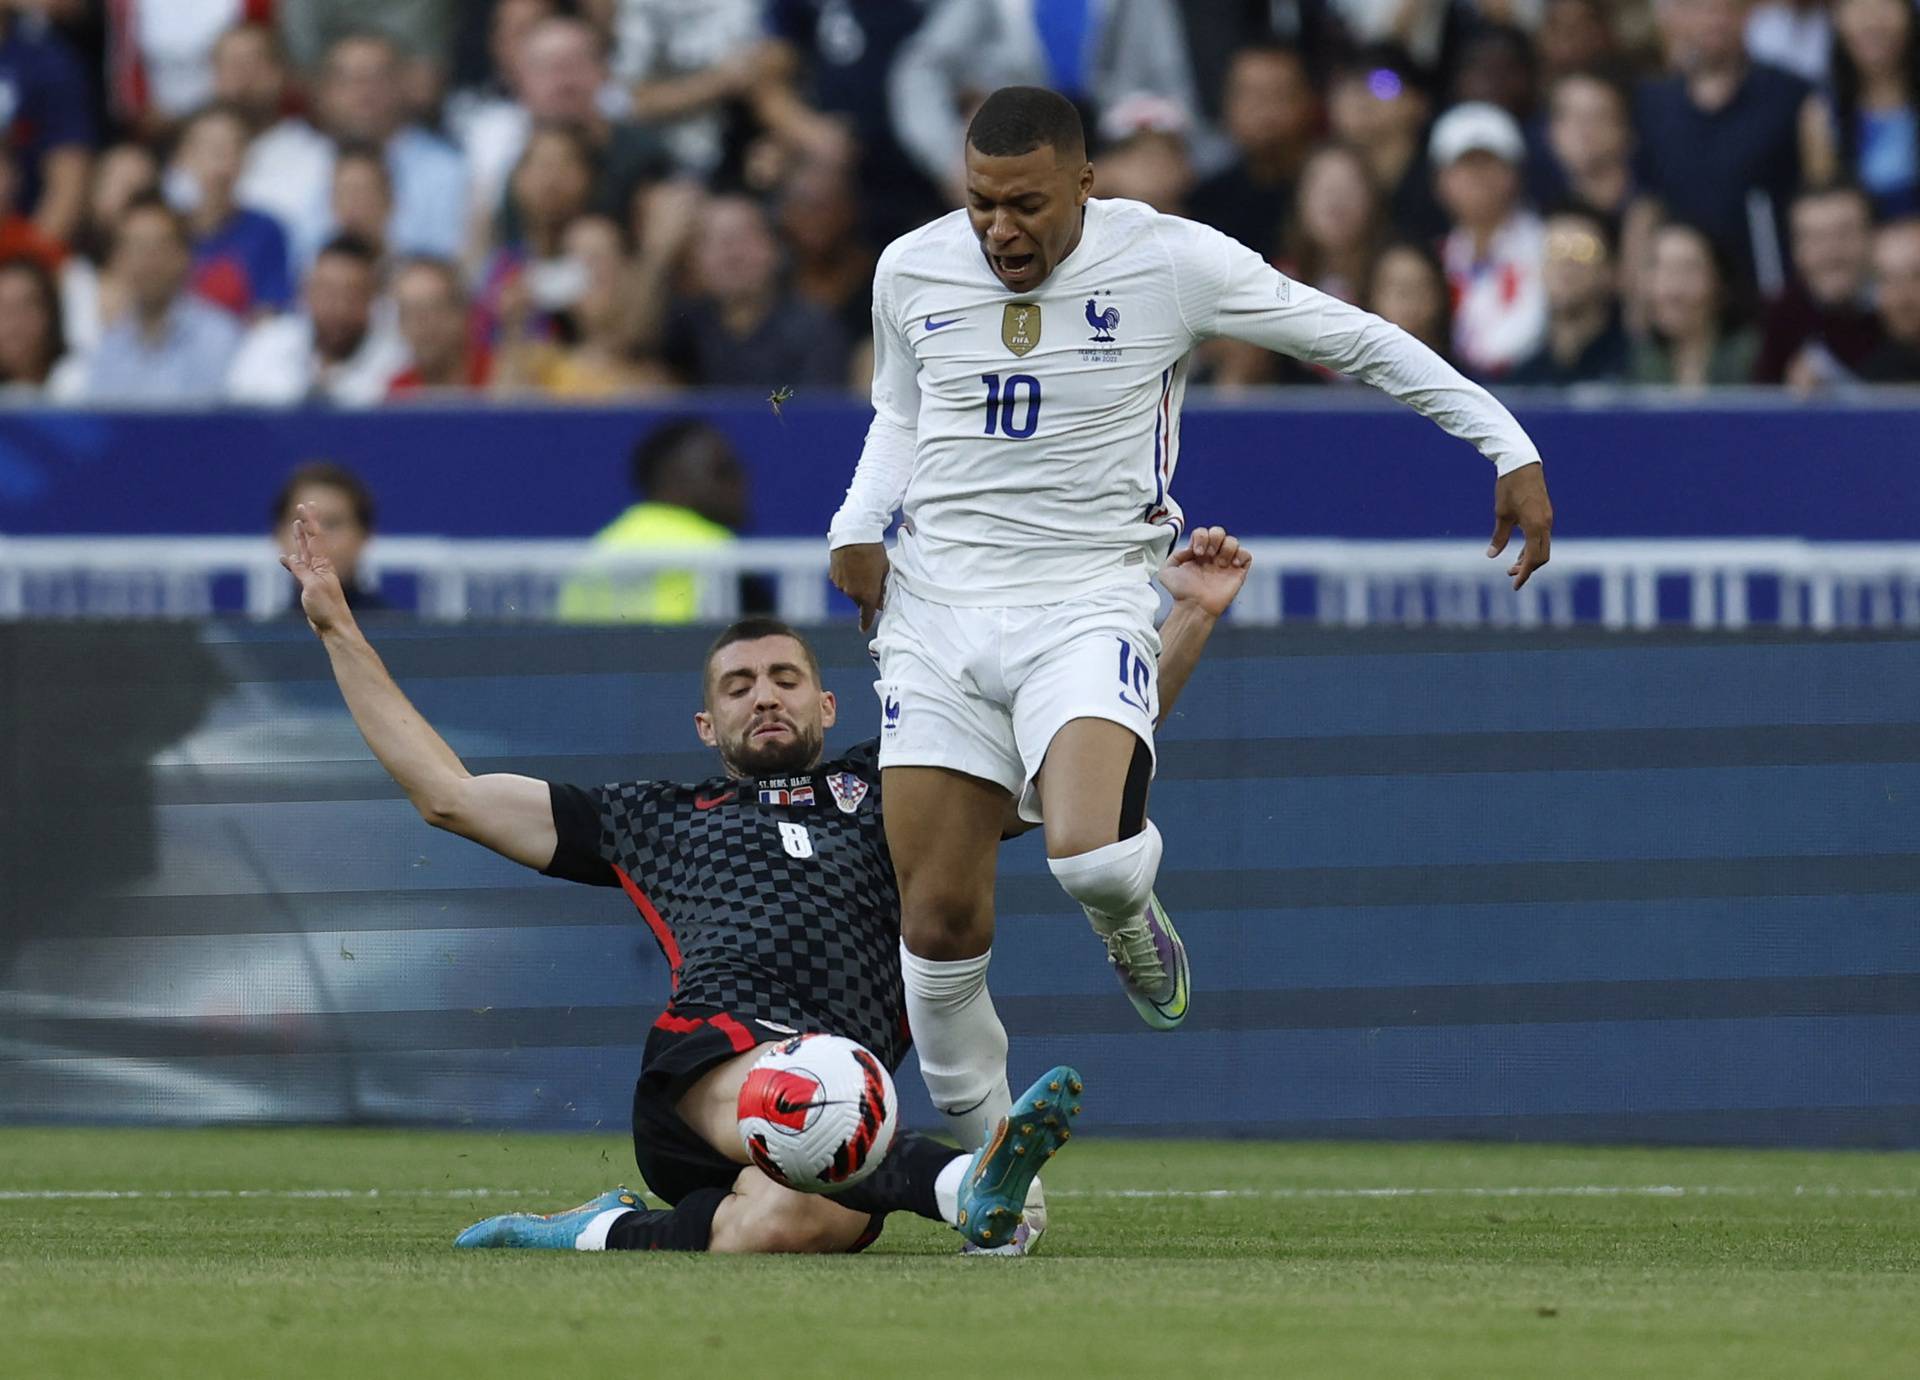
(773, 899)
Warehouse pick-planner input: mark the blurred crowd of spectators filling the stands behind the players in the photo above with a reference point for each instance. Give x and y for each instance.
(370, 201)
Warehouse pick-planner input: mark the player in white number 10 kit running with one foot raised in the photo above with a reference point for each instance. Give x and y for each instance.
(1030, 360)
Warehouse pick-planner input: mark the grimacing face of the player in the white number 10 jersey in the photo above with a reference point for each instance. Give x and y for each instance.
(1026, 210)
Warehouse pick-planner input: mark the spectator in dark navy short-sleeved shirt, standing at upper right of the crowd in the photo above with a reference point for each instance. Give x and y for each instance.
(1719, 139)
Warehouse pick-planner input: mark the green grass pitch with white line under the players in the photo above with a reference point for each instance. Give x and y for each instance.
(327, 1254)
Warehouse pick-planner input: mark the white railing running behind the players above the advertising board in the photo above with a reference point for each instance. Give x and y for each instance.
(1356, 584)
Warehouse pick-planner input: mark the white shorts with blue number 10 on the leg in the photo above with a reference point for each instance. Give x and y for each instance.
(984, 690)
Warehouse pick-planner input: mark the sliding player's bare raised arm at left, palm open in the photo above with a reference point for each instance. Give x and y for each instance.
(510, 815)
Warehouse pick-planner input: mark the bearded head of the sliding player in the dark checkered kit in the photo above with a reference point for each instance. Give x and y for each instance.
(765, 707)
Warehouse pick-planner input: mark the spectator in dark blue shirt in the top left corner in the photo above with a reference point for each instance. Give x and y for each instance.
(45, 122)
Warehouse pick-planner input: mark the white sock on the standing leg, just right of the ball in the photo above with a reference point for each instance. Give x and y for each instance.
(961, 1043)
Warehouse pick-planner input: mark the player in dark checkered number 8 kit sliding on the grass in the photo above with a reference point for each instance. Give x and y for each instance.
(773, 897)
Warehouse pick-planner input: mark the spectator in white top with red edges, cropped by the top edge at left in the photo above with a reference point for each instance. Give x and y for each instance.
(160, 57)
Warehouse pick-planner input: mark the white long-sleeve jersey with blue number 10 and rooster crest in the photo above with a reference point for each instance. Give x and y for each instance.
(1034, 439)
